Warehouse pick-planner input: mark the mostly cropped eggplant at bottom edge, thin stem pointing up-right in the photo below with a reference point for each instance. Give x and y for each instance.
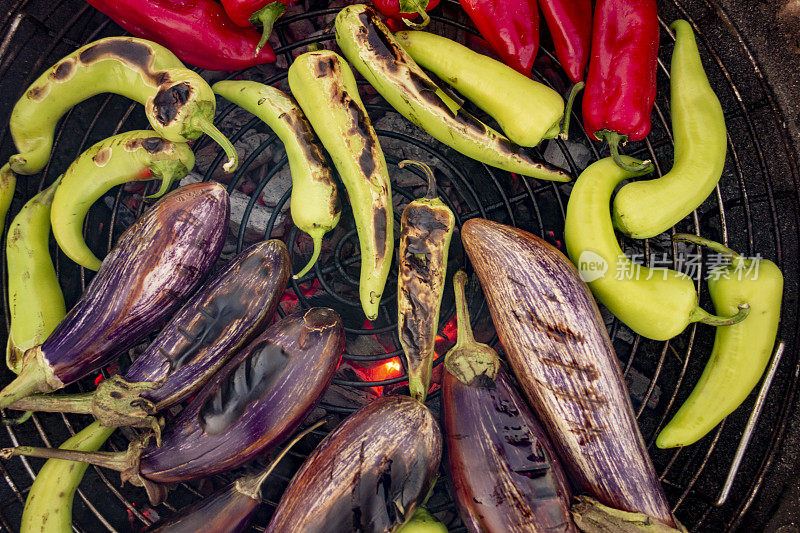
(230, 509)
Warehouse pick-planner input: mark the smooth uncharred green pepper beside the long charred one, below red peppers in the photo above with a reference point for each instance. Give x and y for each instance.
(526, 110)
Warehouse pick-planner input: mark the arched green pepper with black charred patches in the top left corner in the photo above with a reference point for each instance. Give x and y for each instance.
(178, 103)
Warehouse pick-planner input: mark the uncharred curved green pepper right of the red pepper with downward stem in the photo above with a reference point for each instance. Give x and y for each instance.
(646, 208)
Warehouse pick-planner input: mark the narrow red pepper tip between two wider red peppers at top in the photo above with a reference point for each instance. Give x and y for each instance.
(570, 23)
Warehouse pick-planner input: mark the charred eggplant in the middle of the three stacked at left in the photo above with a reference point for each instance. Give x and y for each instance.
(225, 314)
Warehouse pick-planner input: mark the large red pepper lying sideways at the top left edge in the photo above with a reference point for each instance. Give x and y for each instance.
(197, 31)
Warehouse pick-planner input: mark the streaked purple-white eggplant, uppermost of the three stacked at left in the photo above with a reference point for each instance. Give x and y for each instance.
(156, 264)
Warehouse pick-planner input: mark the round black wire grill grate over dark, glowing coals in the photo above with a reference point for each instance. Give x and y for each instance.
(754, 210)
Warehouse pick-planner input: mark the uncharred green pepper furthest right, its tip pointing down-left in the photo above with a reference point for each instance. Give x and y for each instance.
(741, 352)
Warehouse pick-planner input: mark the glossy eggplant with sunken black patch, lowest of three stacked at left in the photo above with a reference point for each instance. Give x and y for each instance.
(249, 407)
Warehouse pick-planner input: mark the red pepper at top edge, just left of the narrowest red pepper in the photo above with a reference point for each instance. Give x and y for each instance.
(510, 26)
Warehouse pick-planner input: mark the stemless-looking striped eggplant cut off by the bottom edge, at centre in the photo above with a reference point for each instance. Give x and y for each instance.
(368, 475)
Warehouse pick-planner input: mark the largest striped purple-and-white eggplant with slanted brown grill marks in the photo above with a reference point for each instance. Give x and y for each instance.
(560, 352)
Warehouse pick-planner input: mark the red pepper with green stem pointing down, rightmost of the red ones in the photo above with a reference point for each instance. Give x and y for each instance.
(621, 86)
